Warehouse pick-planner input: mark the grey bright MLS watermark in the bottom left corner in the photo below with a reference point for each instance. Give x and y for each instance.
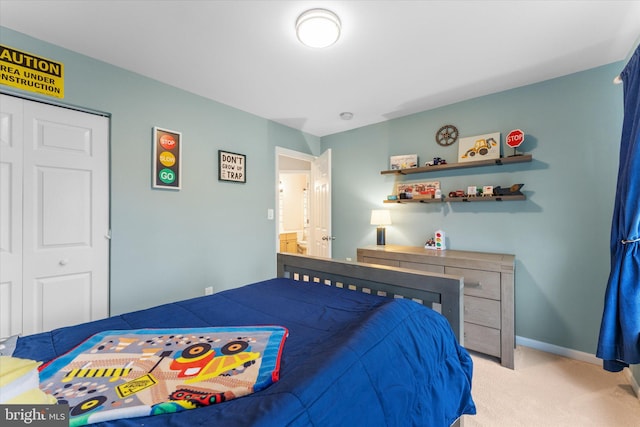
(34, 415)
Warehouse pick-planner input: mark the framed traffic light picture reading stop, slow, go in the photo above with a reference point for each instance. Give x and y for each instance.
(167, 159)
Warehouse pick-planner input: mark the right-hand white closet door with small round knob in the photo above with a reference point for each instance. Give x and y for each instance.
(65, 217)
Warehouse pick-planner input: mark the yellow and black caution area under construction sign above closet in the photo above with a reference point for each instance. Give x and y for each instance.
(29, 72)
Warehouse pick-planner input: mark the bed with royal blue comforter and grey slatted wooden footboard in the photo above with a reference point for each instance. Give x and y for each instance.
(353, 353)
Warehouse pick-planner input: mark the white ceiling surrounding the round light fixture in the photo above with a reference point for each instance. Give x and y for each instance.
(394, 57)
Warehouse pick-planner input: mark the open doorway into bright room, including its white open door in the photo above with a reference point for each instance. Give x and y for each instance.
(303, 214)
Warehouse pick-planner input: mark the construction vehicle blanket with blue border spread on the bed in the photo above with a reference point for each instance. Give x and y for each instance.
(124, 374)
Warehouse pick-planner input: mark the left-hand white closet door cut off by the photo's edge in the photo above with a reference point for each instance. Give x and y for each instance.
(10, 215)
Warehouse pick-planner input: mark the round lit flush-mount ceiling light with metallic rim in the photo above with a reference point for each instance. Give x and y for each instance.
(318, 28)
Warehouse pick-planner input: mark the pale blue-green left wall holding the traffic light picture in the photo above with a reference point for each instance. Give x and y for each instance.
(170, 245)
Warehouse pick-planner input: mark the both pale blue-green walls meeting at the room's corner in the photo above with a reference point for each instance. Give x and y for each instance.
(170, 245)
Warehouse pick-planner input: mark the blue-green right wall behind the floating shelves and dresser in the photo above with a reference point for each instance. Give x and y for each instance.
(560, 234)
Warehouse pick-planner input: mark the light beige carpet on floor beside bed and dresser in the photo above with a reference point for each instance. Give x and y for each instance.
(550, 390)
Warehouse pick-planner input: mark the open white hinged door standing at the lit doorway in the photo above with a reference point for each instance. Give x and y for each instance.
(321, 205)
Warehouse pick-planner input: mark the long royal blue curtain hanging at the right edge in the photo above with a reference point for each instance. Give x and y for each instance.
(619, 341)
